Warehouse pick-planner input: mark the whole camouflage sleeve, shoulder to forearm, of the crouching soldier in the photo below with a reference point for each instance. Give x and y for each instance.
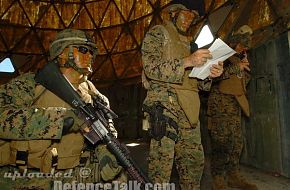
(19, 119)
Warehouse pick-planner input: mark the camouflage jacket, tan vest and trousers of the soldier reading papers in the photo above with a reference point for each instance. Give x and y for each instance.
(164, 76)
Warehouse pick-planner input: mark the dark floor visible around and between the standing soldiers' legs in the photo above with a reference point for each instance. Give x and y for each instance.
(264, 181)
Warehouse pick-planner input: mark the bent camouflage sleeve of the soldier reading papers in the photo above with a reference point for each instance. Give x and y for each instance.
(156, 65)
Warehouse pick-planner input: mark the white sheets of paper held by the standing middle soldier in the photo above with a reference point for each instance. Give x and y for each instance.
(220, 51)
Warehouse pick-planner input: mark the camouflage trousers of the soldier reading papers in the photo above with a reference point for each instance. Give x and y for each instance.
(186, 153)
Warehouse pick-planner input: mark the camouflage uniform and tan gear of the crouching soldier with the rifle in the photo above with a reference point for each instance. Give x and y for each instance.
(27, 126)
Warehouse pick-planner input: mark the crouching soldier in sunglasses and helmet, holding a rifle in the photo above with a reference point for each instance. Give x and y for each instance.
(39, 132)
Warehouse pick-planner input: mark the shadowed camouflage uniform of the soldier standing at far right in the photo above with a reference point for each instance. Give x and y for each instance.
(224, 113)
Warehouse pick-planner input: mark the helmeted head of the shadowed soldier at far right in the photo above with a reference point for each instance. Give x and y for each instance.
(242, 35)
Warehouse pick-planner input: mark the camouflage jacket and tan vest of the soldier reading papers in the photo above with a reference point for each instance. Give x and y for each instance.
(162, 56)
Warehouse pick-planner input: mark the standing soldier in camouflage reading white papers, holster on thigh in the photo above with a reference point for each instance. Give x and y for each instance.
(167, 62)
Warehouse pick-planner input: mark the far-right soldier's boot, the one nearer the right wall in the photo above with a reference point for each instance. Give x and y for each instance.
(236, 180)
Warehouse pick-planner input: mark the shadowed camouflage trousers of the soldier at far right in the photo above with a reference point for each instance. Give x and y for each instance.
(226, 143)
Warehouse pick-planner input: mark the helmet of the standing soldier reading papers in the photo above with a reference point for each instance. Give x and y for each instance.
(197, 5)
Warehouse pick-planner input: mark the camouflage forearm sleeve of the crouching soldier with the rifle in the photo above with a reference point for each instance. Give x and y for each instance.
(31, 123)
